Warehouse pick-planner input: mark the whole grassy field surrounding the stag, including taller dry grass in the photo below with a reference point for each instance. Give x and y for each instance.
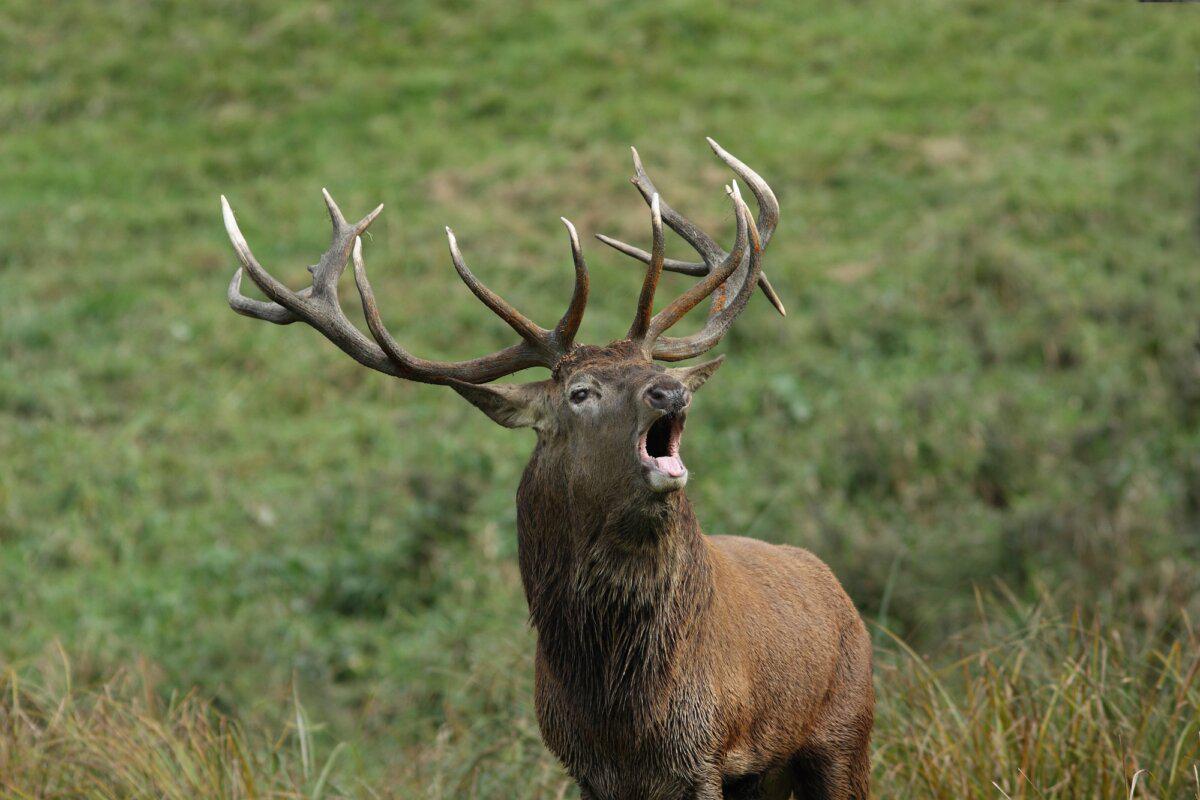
(983, 410)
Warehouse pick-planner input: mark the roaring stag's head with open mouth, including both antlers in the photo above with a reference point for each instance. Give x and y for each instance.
(609, 418)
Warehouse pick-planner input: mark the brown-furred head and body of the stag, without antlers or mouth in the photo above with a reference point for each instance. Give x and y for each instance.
(671, 664)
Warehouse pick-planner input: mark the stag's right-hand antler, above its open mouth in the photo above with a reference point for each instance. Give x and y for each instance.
(742, 268)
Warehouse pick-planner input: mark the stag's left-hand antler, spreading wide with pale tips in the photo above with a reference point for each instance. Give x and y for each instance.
(319, 308)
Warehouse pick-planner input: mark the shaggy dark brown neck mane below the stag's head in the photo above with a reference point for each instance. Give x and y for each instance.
(615, 590)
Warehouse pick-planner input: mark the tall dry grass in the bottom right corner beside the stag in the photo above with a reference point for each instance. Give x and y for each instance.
(1043, 705)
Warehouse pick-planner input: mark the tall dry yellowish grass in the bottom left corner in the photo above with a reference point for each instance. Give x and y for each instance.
(124, 739)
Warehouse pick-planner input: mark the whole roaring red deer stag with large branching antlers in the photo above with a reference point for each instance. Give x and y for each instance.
(669, 664)
